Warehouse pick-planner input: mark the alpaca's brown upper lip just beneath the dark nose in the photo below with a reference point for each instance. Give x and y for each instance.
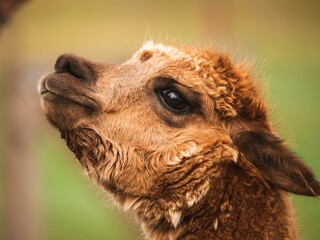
(67, 93)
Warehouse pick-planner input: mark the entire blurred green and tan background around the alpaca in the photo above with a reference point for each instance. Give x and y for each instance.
(43, 193)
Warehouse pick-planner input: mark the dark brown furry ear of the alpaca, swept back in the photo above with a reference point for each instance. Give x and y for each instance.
(276, 163)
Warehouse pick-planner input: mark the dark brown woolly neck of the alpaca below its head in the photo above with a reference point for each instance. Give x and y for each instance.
(235, 205)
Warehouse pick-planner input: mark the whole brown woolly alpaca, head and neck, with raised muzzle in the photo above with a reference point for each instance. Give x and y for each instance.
(181, 137)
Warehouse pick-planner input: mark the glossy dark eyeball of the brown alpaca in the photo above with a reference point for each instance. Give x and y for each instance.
(173, 100)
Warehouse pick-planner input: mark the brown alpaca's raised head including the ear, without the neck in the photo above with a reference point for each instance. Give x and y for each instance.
(134, 126)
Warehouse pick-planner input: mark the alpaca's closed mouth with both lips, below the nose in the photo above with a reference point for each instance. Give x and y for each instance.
(55, 90)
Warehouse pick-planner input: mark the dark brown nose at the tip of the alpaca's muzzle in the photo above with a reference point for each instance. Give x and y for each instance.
(75, 66)
